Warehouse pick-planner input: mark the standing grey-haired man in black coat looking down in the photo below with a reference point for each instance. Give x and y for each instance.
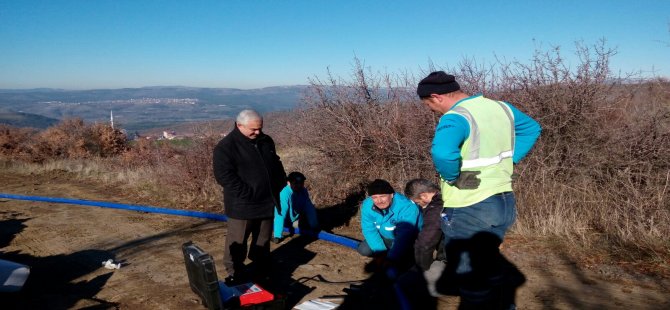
(246, 165)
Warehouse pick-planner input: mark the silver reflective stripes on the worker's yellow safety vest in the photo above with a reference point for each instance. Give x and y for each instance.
(474, 161)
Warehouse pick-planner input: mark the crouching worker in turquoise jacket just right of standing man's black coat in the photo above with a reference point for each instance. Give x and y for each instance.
(295, 202)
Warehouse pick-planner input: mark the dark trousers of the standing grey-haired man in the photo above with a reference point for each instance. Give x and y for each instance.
(236, 248)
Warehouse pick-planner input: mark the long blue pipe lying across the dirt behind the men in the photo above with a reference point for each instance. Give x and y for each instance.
(341, 240)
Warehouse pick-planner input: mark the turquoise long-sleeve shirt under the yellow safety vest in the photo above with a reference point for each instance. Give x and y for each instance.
(453, 129)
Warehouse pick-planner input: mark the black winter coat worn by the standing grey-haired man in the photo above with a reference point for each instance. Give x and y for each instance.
(251, 174)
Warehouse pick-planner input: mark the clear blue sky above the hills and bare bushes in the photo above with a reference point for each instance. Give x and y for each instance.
(90, 44)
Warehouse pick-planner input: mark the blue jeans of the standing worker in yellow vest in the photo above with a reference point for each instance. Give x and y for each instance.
(495, 214)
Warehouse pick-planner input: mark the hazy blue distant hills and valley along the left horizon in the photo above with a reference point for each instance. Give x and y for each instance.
(150, 107)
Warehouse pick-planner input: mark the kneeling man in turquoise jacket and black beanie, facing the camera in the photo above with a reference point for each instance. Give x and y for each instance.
(390, 223)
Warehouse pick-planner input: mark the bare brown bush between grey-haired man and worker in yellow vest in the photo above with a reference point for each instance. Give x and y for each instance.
(367, 128)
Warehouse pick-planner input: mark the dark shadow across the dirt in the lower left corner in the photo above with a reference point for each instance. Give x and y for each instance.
(55, 281)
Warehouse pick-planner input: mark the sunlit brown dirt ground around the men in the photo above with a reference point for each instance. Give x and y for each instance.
(65, 244)
